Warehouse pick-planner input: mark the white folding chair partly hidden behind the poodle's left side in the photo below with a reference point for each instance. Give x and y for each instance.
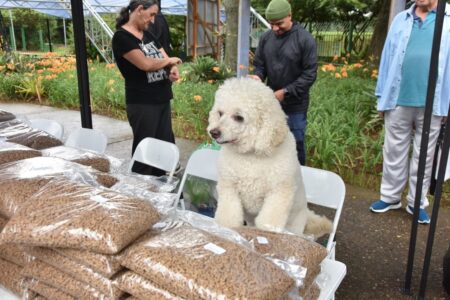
(202, 163)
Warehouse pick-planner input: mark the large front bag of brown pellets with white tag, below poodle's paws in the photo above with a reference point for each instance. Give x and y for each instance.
(194, 264)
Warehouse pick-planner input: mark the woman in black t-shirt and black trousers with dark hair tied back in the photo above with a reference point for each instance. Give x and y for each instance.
(148, 72)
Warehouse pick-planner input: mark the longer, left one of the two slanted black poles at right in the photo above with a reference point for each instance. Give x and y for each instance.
(432, 78)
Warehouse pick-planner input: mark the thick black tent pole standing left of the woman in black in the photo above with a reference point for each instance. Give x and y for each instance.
(81, 58)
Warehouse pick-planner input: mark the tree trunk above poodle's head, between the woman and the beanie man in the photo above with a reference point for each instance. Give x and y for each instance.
(231, 33)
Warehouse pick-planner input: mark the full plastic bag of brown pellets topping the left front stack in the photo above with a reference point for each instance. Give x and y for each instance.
(71, 215)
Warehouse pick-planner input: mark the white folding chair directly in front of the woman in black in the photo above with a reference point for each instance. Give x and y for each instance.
(157, 153)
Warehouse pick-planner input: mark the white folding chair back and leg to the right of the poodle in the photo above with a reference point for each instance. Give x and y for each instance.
(325, 188)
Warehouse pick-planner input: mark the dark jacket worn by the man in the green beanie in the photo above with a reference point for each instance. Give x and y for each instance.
(288, 61)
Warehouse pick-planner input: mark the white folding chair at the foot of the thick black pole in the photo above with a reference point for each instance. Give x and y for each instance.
(88, 139)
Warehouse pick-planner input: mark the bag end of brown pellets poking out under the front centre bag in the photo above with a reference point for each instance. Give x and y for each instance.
(142, 288)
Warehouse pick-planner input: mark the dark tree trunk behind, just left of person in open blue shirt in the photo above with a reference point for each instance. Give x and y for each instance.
(380, 31)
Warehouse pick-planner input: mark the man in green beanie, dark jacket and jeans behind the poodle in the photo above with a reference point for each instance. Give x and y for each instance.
(287, 57)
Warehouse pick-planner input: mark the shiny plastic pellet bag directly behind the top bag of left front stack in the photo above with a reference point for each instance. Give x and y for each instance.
(21, 179)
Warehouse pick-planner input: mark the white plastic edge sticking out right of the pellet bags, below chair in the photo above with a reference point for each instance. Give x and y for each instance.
(335, 271)
